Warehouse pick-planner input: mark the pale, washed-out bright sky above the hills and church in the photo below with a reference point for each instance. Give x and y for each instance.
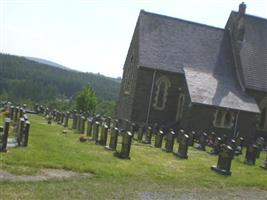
(94, 35)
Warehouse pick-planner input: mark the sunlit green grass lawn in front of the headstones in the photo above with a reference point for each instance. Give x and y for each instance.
(149, 170)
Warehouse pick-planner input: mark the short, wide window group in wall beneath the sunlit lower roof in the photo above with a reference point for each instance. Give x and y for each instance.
(223, 119)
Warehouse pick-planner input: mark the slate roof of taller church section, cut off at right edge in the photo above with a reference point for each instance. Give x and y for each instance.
(254, 53)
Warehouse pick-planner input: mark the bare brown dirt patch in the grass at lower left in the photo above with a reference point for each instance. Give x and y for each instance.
(43, 175)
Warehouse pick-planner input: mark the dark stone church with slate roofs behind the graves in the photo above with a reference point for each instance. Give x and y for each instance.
(197, 77)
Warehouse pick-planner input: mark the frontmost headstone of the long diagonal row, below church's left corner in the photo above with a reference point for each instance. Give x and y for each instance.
(125, 147)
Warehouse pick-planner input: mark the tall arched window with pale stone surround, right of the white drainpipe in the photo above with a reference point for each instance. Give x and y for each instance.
(162, 86)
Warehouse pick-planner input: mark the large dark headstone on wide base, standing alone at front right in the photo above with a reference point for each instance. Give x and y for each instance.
(224, 161)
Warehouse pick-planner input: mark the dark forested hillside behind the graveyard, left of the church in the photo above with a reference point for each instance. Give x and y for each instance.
(26, 79)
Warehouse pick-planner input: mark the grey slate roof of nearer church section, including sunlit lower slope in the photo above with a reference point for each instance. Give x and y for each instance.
(203, 53)
